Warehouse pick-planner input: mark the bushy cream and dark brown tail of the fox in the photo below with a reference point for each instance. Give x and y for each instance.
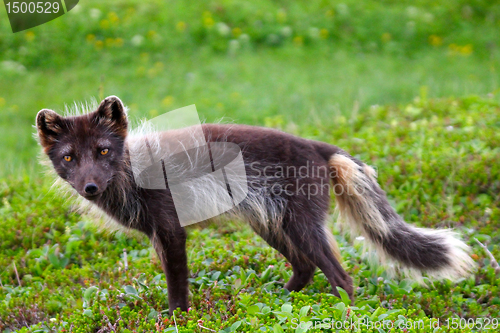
(363, 205)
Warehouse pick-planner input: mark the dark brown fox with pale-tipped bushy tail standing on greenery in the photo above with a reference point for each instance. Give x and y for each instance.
(91, 153)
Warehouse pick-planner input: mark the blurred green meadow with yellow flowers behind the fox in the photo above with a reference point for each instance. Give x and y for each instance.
(260, 62)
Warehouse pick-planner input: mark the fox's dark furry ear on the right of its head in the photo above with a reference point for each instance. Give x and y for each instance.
(111, 112)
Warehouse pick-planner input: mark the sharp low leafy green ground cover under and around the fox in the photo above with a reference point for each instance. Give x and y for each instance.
(436, 159)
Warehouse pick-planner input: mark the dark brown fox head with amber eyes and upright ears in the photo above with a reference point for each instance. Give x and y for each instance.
(86, 151)
